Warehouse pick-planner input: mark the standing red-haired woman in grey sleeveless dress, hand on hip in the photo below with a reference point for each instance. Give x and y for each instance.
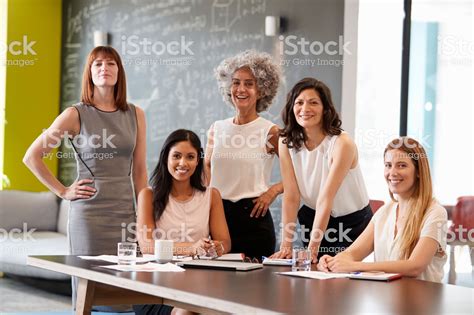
(109, 141)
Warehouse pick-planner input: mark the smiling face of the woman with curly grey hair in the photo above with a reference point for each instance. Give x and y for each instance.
(244, 92)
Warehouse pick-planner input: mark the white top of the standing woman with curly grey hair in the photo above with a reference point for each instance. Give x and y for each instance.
(240, 165)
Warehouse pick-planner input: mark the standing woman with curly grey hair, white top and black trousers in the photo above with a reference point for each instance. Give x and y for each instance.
(241, 150)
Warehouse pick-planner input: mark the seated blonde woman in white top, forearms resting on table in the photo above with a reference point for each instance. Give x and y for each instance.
(408, 235)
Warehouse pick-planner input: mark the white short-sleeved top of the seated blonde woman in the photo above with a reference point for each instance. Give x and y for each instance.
(387, 248)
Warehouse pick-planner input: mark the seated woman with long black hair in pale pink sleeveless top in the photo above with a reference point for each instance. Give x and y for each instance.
(179, 207)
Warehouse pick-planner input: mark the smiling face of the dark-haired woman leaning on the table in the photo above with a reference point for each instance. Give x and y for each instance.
(308, 109)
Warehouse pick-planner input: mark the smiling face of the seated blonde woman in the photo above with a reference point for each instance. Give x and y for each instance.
(400, 173)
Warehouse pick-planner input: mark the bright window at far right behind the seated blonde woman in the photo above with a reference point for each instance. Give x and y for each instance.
(440, 93)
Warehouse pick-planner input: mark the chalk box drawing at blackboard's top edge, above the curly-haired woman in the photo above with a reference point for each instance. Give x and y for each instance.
(224, 14)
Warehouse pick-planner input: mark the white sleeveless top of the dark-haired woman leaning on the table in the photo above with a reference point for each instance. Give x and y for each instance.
(312, 169)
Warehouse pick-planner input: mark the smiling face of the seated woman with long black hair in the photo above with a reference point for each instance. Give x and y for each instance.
(182, 161)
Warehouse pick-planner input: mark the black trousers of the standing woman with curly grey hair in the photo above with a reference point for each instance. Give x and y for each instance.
(255, 237)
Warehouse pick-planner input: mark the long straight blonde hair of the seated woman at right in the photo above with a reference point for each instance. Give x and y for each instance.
(422, 196)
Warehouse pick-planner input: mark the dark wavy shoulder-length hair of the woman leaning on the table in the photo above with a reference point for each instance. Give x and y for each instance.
(293, 134)
